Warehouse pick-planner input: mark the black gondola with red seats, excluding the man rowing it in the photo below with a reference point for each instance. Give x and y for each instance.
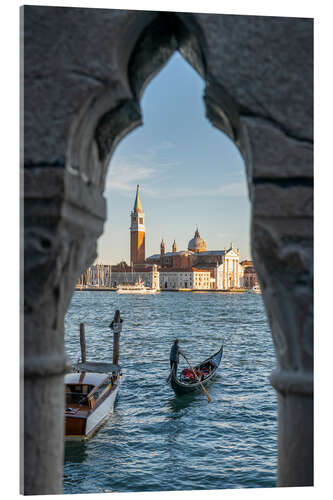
(186, 383)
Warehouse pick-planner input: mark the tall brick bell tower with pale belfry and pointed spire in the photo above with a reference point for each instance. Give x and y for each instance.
(138, 253)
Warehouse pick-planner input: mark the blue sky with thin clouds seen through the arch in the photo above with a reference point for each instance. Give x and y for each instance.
(190, 174)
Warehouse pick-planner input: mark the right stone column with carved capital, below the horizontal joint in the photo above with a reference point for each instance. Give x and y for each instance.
(283, 255)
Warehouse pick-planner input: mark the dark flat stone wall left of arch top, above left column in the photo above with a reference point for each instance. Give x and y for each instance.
(68, 59)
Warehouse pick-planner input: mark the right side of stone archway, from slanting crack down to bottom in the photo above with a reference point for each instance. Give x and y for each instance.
(280, 182)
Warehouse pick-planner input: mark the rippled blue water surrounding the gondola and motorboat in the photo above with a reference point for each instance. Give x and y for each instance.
(155, 440)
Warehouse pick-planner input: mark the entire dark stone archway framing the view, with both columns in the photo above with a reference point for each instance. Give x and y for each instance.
(81, 98)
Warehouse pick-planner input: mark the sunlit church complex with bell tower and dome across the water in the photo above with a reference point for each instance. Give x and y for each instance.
(194, 268)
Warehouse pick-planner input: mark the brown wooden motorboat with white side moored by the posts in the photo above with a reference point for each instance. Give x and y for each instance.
(91, 392)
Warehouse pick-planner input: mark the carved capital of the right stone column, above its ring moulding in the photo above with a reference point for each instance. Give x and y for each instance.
(285, 267)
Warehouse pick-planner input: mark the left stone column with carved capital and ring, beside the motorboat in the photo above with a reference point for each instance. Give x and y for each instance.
(63, 218)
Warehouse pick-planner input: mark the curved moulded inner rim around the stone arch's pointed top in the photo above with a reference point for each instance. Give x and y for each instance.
(113, 112)
